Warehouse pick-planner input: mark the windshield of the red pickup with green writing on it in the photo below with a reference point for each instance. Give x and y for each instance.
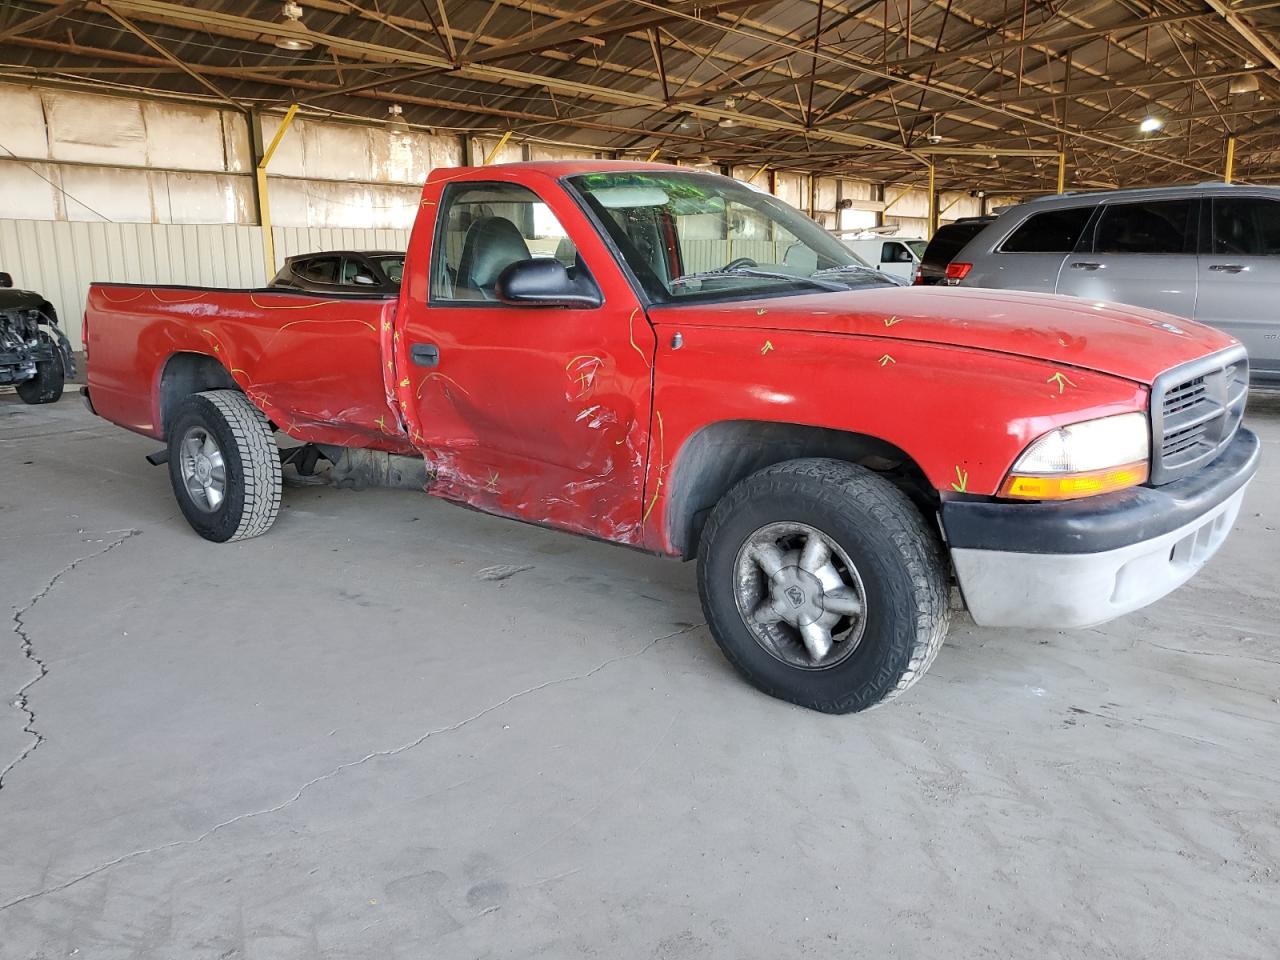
(697, 236)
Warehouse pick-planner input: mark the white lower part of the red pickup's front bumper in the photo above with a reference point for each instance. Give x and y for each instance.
(1060, 591)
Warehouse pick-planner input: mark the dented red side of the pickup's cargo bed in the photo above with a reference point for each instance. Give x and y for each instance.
(313, 364)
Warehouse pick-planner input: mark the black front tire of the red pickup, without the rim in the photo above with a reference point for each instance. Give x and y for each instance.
(900, 563)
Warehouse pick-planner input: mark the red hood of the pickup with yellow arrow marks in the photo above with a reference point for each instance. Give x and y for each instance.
(1110, 339)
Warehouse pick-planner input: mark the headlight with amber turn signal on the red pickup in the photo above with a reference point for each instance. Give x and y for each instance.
(1082, 460)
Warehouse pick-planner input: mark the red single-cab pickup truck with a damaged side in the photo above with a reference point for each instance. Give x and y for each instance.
(675, 362)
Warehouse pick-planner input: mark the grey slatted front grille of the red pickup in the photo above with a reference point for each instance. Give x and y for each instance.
(1195, 413)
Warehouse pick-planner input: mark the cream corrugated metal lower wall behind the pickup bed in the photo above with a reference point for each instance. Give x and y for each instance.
(60, 259)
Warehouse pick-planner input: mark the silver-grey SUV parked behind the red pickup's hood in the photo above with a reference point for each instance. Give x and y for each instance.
(1209, 254)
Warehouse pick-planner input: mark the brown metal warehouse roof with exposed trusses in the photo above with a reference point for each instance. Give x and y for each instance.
(989, 90)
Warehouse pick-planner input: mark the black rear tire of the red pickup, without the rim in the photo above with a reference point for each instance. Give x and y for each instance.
(252, 465)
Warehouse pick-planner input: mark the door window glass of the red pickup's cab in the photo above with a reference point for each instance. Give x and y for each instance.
(483, 230)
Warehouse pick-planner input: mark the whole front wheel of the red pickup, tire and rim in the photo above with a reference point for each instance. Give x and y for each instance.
(824, 586)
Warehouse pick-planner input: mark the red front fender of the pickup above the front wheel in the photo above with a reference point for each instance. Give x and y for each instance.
(962, 415)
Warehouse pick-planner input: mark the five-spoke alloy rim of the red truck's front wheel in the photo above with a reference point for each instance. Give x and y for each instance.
(801, 596)
